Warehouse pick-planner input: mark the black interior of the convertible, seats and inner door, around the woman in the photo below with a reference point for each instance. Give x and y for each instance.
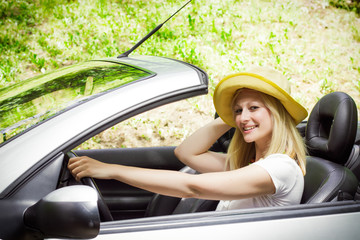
(331, 134)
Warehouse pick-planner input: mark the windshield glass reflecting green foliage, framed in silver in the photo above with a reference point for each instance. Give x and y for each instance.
(32, 101)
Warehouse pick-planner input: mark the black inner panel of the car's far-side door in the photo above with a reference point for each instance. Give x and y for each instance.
(125, 201)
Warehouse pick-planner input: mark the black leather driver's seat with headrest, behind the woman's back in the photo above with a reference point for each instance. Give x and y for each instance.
(330, 136)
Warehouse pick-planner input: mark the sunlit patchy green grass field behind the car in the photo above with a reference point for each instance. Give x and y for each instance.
(316, 45)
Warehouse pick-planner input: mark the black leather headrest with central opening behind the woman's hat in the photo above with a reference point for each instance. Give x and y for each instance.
(331, 128)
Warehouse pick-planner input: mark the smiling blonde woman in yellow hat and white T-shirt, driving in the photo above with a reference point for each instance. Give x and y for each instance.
(257, 103)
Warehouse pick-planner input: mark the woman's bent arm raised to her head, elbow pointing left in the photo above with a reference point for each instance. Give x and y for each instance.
(193, 151)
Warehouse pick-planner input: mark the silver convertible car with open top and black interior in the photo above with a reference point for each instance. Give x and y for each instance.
(44, 118)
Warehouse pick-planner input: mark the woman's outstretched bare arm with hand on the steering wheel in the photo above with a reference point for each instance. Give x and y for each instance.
(229, 185)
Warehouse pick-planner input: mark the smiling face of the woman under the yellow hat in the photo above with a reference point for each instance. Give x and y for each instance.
(253, 118)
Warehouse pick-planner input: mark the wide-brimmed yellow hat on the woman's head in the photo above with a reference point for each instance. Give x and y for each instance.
(260, 79)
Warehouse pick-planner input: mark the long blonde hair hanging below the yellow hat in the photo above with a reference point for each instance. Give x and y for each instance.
(285, 138)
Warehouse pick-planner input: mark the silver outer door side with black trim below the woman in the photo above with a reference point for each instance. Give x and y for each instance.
(336, 220)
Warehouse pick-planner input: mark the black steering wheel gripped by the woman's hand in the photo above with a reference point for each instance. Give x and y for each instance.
(104, 211)
